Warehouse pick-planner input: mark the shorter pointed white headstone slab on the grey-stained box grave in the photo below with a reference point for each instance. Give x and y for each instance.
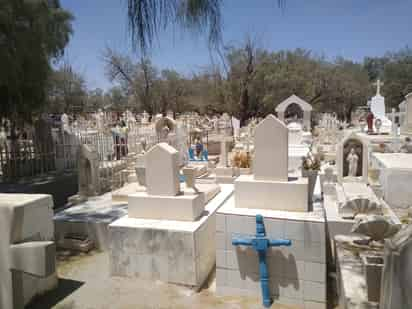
(162, 170)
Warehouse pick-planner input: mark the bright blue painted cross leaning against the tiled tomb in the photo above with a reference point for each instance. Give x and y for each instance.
(261, 244)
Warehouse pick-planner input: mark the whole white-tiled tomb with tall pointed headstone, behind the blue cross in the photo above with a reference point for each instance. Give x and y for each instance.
(296, 274)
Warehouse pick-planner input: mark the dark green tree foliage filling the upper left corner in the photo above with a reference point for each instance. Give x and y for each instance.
(32, 34)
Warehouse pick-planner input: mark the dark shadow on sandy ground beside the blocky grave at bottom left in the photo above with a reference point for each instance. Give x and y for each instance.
(52, 298)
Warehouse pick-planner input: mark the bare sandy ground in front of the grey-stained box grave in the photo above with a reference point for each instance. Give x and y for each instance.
(85, 282)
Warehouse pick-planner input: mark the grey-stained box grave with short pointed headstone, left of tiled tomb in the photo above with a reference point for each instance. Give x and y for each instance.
(167, 233)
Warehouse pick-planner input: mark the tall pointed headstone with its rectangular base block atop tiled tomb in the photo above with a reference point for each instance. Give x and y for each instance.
(270, 187)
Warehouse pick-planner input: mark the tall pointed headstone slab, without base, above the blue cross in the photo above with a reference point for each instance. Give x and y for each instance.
(271, 150)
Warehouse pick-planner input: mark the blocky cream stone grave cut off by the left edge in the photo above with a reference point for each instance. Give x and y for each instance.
(27, 264)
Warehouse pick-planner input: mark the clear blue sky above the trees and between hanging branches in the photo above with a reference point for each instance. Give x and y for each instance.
(349, 28)
